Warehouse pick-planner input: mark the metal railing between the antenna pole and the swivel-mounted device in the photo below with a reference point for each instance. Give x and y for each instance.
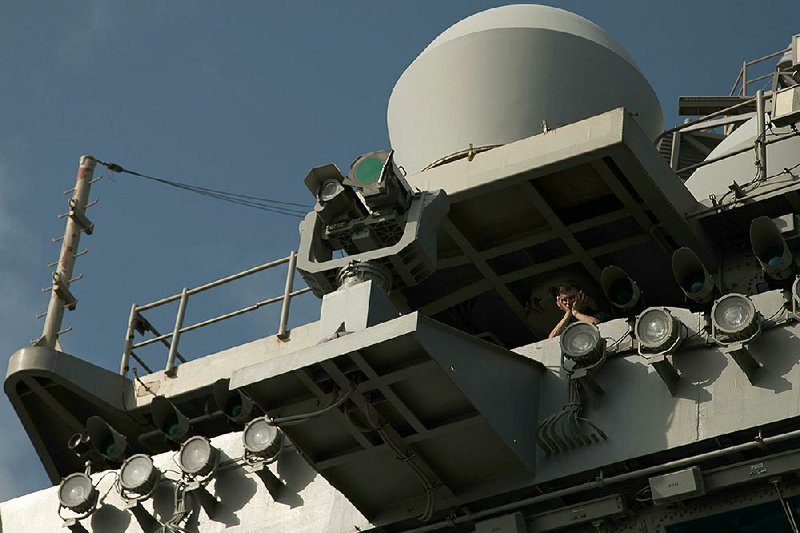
(137, 322)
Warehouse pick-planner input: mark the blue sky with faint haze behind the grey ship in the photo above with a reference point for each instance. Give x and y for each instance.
(244, 96)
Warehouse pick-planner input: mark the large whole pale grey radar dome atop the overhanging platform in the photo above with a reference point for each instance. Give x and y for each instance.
(500, 75)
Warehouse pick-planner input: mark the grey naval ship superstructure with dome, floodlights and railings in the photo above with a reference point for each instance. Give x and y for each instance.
(425, 398)
